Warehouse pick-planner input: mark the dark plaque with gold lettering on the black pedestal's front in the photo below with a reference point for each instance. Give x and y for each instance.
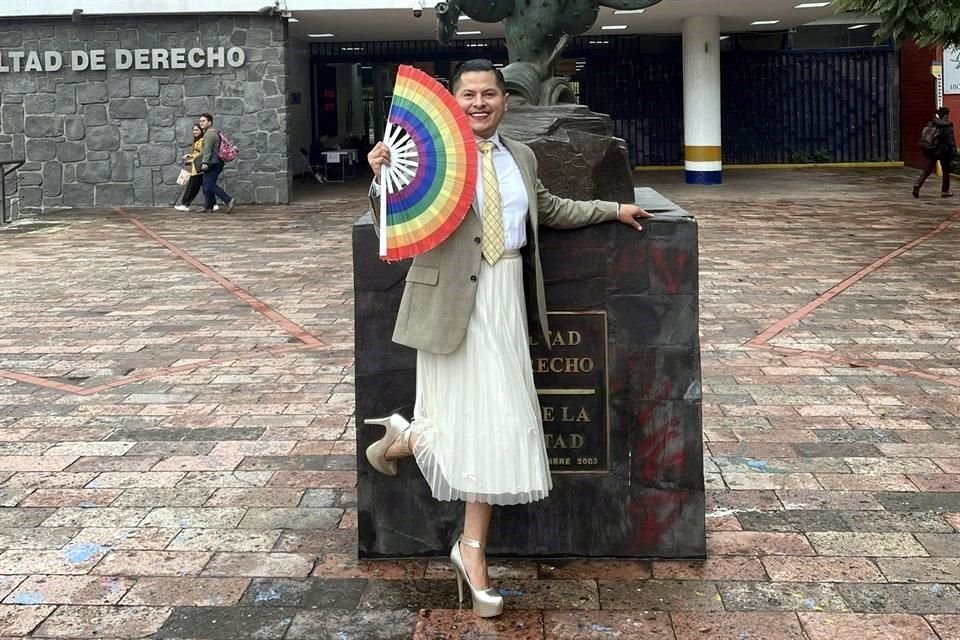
(571, 380)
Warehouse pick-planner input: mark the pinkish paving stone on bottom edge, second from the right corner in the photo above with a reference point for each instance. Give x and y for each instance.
(841, 626)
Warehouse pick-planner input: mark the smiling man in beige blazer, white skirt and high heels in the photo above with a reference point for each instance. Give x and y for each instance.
(477, 434)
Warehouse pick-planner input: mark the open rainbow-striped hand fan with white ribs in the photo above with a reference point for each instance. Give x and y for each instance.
(431, 181)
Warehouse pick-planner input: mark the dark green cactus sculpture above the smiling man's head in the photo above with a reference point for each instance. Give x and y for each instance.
(536, 33)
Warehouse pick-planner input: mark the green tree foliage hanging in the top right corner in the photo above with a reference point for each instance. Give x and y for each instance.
(928, 22)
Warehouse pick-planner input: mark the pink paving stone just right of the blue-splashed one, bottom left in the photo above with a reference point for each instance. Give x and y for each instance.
(187, 592)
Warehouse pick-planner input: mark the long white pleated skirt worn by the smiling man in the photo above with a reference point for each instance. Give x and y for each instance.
(479, 435)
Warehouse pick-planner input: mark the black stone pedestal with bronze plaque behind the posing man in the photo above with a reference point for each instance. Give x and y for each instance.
(620, 394)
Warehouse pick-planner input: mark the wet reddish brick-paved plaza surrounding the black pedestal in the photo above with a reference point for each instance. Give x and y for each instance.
(177, 454)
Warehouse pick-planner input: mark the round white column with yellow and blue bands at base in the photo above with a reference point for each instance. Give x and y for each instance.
(701, 100)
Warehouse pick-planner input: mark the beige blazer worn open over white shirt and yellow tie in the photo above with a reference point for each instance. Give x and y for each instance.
(441, 286)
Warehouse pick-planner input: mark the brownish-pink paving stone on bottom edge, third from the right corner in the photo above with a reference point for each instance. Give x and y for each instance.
(737, 626)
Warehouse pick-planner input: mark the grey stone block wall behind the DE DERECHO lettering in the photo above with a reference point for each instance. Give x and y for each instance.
(114, 137)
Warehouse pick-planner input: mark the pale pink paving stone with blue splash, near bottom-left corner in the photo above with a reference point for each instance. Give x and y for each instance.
(92, 590)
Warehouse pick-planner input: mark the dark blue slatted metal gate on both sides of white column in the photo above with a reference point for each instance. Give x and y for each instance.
(778, 106)
